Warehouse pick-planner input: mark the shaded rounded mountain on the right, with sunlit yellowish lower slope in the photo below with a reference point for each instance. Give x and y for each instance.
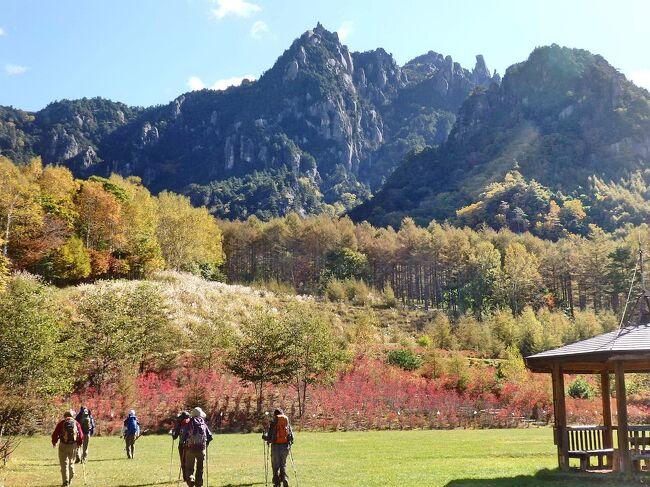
(563, 126)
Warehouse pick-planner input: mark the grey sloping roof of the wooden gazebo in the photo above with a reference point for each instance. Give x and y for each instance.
(630, 344)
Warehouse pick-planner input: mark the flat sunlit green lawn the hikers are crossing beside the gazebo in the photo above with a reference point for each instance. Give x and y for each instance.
(461, 458)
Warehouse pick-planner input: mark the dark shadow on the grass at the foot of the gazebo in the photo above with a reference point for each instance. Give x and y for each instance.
(545, 478)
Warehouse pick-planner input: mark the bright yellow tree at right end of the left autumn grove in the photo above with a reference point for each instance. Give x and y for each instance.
(188, 236)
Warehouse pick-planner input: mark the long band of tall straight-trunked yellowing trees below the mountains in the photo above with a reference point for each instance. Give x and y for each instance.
(440, 266)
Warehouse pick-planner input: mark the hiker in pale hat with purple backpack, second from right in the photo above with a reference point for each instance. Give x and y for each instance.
(195, 437)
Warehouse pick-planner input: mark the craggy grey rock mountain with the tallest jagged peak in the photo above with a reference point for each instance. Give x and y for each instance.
(323, 126)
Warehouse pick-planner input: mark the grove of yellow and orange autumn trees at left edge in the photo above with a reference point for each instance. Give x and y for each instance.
(69, 230)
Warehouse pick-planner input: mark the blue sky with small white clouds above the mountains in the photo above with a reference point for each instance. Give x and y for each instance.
(145, 52)
